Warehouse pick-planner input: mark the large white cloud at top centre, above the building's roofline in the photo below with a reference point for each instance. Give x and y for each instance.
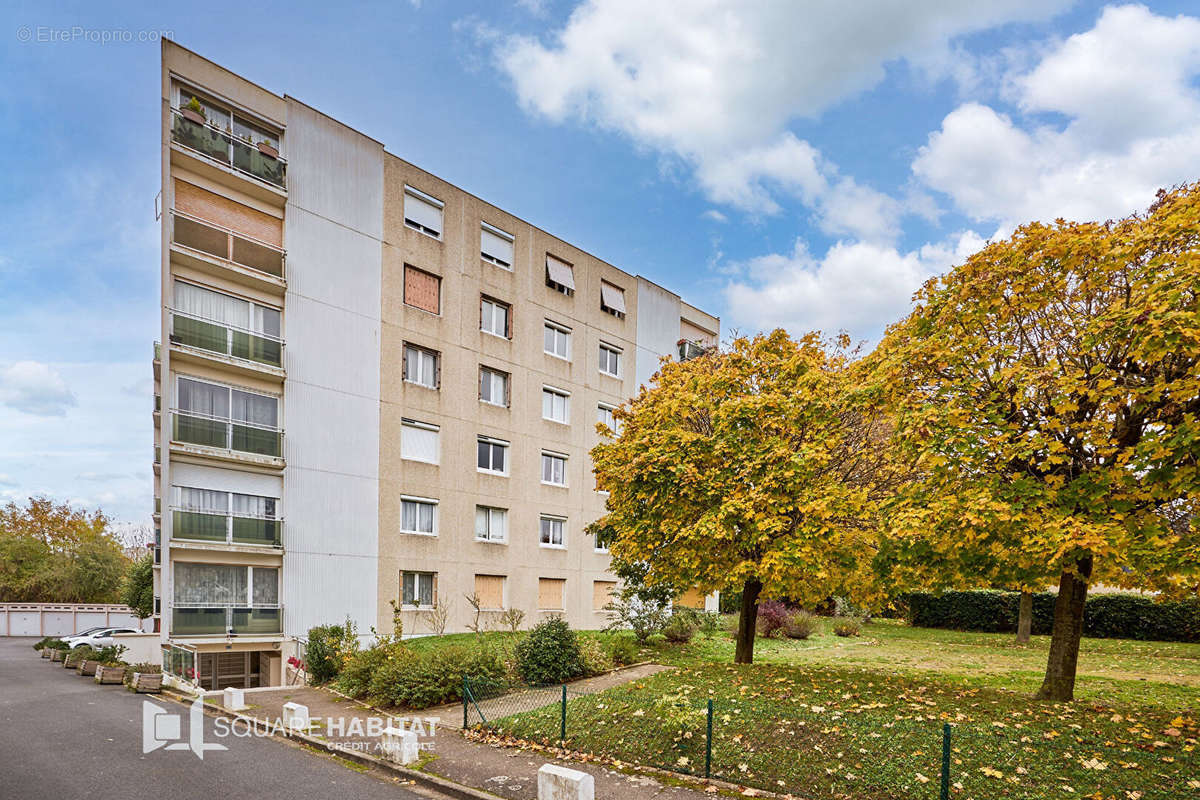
(717, 86)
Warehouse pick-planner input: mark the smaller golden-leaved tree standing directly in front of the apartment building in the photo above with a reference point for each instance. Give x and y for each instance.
(755, 470)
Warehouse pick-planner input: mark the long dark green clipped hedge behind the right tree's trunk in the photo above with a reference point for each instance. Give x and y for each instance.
(1111, 616)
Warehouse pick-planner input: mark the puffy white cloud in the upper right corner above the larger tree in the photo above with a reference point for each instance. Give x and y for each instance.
(1127, 88)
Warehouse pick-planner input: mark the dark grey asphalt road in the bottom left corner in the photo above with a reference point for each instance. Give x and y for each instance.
(65, 737)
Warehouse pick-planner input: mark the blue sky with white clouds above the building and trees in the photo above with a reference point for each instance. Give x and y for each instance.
(805, 165)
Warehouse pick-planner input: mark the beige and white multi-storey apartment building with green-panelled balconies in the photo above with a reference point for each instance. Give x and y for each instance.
(374, 390)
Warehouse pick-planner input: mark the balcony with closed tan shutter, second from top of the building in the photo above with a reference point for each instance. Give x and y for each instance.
(251, 258)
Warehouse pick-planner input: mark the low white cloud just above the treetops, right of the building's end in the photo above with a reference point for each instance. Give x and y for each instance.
(856, 287)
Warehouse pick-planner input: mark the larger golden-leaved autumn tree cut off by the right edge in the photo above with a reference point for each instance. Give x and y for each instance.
(1051, 399)
